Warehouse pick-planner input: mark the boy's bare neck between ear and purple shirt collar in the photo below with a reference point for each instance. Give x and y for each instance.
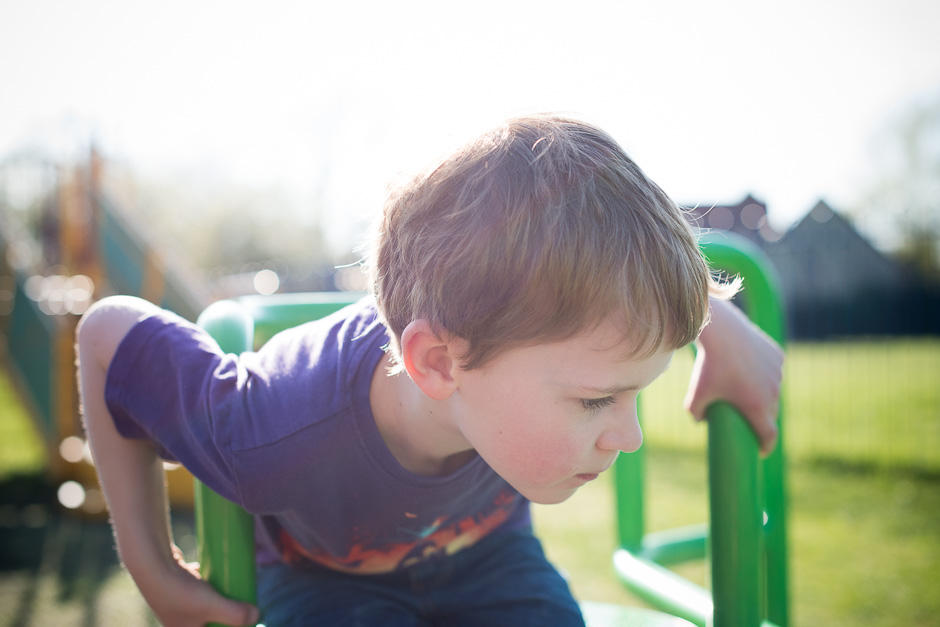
(417, 430)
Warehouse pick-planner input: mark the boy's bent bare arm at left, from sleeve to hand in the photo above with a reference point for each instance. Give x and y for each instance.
(131, 476)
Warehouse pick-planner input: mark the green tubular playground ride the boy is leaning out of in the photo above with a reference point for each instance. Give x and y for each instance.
(746, 538)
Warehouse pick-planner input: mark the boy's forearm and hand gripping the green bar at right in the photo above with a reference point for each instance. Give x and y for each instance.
(739, 363)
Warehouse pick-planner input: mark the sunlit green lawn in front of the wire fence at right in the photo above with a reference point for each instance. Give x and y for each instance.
(864, 544)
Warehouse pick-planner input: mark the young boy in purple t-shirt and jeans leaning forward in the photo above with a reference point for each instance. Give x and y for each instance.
(525, 289)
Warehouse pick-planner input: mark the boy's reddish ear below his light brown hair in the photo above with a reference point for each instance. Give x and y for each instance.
(429, 360)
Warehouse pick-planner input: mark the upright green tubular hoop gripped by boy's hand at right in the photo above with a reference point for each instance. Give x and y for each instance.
(742, 488)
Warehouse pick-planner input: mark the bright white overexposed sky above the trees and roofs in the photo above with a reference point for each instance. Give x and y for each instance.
(327, 102)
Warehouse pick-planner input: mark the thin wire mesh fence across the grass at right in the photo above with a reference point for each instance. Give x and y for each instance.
(871, 401)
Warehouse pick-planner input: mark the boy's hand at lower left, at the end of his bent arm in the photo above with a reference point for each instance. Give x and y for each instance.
(180, 598)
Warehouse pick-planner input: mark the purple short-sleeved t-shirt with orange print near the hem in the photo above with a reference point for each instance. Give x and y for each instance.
(288, 433)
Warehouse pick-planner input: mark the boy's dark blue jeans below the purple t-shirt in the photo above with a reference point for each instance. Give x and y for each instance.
(502, 580)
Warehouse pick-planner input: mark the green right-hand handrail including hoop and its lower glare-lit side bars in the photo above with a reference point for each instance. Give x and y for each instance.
(745, 539)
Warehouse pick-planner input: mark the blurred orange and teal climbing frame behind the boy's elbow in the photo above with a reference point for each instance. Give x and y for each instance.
(86, 247)
